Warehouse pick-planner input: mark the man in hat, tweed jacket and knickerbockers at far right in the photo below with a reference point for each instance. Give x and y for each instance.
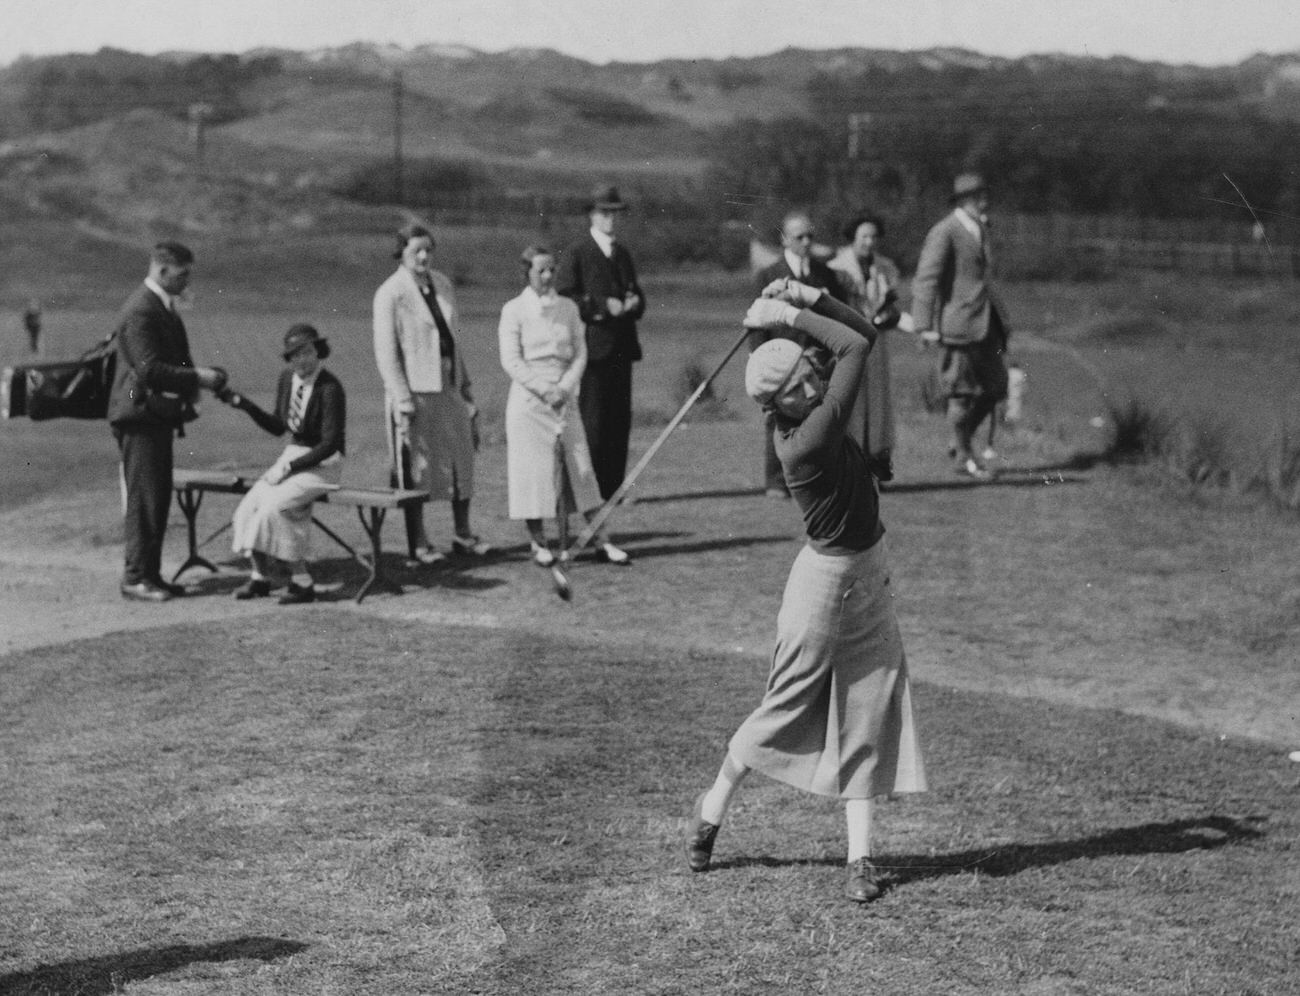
(955, 305)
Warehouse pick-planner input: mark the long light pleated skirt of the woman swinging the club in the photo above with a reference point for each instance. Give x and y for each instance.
(837, 718)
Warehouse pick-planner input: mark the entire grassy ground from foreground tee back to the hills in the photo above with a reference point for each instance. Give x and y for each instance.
(475, 789)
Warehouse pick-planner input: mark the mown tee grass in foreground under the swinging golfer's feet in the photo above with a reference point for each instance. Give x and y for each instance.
(336, 804)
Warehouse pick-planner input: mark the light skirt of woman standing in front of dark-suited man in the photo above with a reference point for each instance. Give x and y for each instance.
(532, 428)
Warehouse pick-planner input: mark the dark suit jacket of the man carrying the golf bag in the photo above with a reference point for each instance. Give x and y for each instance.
(154, 354)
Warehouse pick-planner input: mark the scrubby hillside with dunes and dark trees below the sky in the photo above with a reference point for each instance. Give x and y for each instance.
(109, 141)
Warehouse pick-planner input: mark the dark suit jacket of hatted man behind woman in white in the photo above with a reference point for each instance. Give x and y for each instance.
(590, 278)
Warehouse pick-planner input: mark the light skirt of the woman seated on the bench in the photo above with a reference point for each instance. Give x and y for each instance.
(276, 519)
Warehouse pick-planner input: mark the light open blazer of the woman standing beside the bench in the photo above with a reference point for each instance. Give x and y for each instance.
(408, 349)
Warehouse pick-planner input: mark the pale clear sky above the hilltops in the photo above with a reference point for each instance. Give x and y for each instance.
(1201, 32)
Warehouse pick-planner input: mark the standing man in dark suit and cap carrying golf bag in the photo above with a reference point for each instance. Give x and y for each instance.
(154, 392)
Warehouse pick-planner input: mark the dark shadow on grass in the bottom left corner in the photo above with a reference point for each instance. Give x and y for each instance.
(97, 977)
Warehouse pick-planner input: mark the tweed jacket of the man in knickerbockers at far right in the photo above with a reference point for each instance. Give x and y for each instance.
(951, 292)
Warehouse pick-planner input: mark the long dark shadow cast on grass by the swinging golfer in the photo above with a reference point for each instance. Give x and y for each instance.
(1175, 838)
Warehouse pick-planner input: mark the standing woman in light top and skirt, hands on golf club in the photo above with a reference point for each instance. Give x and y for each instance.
(544, 350)
